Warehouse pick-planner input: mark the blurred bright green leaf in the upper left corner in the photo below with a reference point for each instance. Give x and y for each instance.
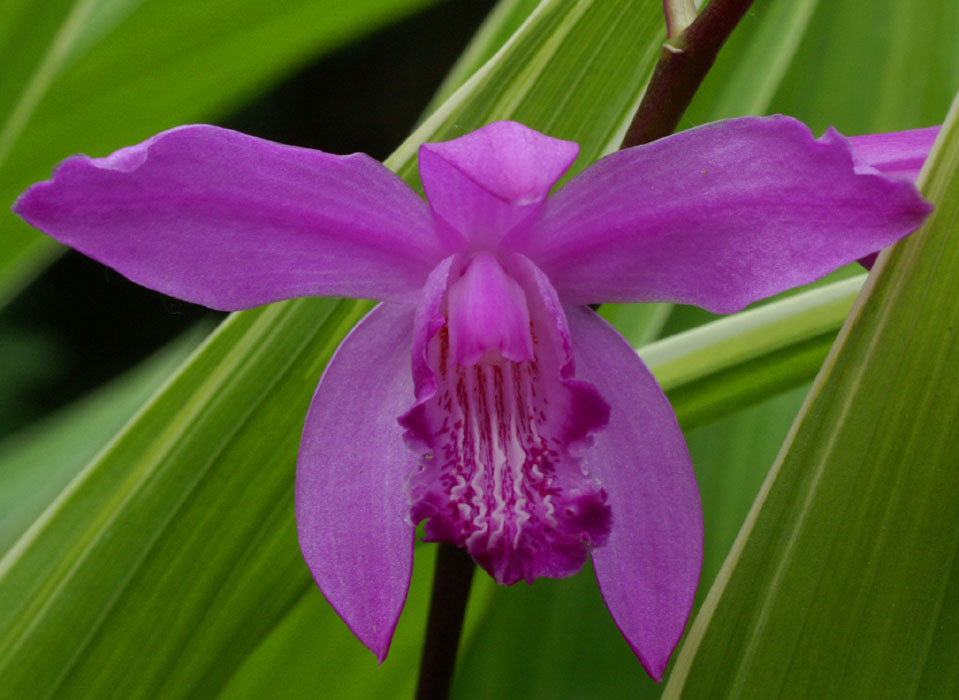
(95, 75)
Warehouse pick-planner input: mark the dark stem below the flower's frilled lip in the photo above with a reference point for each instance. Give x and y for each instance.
(451, 587)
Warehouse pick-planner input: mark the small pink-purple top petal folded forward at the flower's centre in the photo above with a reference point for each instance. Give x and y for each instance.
(491, 180)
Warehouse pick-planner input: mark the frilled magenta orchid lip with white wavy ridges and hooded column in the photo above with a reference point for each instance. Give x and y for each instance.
(500, 471)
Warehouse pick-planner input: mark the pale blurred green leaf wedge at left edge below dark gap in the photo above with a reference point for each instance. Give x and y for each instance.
(37, 463)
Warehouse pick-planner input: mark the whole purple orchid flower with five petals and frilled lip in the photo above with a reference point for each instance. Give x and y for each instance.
(529, 431)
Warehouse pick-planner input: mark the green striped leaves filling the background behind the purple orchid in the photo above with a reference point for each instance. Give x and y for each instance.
(147, 543)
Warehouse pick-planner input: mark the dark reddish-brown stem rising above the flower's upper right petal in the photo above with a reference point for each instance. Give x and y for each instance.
(684, 62)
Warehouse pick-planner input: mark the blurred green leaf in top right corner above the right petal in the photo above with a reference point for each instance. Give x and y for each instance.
(907, 55)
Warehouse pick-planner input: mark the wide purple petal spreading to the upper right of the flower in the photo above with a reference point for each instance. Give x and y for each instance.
(718, 216)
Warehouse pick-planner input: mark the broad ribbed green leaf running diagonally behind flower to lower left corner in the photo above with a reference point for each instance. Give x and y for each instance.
(171, 561)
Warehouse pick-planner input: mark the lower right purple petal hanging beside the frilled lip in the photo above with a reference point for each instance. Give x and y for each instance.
(649, 567)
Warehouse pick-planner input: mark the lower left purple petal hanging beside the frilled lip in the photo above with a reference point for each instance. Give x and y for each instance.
(351, 509)
